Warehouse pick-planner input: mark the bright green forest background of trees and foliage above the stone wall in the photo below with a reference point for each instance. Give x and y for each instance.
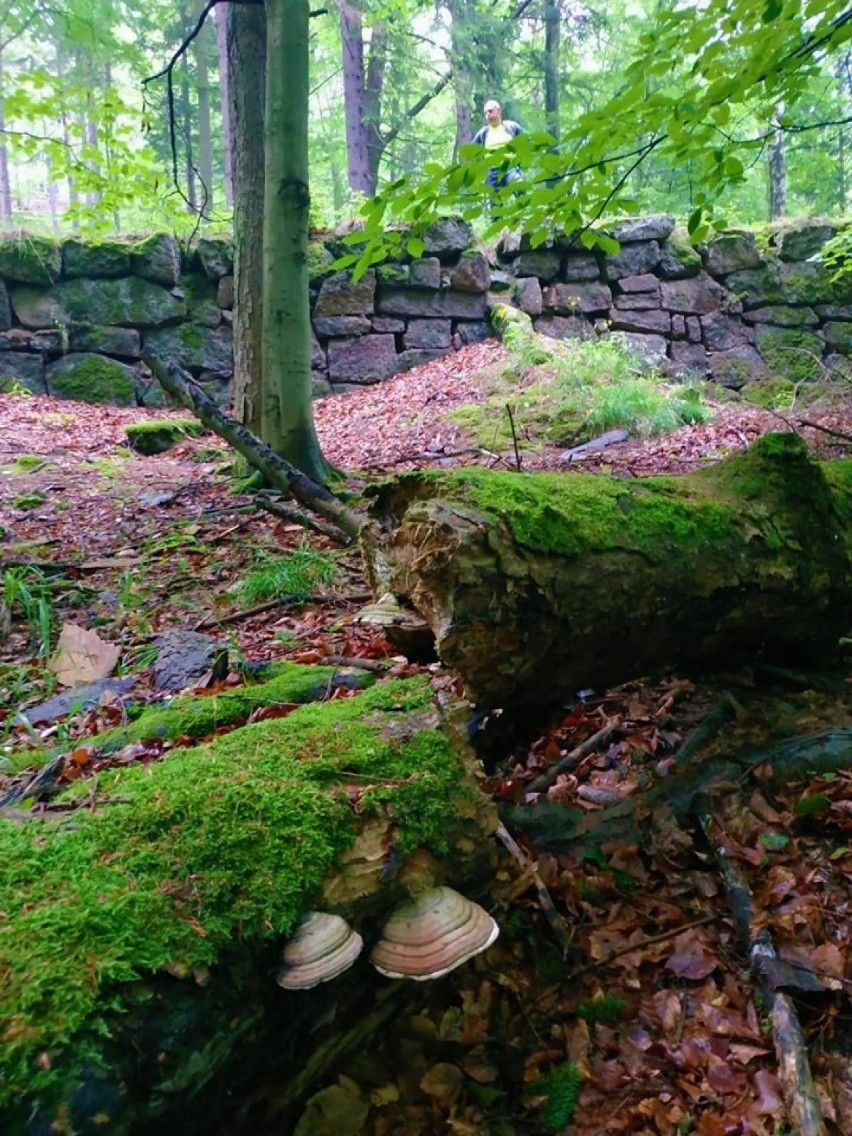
(87, 141)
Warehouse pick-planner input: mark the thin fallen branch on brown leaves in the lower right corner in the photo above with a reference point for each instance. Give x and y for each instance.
(795, 1074)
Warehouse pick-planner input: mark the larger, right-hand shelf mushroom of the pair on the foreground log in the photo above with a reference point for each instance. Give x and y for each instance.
(432, 935)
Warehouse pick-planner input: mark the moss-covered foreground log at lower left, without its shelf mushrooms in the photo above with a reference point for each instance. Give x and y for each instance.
(143, 928)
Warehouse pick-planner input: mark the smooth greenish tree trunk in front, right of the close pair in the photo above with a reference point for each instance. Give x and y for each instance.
(287, 416)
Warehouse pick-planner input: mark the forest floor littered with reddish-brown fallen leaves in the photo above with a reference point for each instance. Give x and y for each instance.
(637, 979)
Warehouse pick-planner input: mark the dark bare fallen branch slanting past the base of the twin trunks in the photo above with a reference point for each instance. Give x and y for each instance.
(275, 470)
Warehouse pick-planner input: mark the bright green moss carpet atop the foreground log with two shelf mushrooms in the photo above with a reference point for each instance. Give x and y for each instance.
(212, 848)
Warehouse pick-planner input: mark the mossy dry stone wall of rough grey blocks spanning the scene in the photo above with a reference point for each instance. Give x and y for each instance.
(74, 316)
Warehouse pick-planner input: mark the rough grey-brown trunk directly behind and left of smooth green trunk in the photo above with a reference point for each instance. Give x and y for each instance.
(246, 39)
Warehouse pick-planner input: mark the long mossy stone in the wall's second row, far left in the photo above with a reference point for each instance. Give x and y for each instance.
(129, 303)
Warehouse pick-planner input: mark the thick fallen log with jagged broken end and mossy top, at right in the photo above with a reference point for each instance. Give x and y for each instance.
(536, 587)
